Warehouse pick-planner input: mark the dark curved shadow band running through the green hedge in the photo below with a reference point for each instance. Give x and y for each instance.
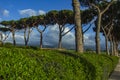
(89, 69)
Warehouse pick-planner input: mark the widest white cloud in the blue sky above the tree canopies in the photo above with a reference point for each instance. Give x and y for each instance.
(28, 12)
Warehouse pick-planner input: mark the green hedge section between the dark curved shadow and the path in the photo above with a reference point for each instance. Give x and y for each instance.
(103, 64)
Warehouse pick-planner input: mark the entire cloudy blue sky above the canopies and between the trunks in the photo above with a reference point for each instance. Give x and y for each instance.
(16, 9)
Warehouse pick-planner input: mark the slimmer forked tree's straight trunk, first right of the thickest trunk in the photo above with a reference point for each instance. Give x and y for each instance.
(97, 36)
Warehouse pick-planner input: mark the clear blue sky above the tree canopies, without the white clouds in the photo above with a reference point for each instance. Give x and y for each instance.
(14, 6)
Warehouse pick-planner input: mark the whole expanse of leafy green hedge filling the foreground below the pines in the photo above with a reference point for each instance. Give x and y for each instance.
(29, 64)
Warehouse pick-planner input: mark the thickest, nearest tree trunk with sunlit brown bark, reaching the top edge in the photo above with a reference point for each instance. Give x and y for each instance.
(78, 26)
